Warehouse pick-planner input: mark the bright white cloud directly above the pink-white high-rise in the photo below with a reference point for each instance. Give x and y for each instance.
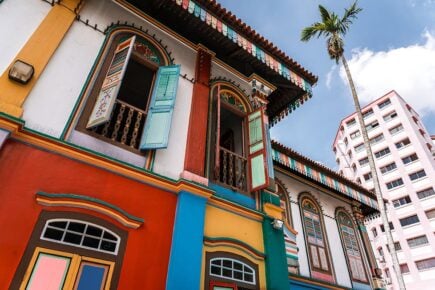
(410, 71)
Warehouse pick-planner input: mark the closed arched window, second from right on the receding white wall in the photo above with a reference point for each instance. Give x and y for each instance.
(317, 246)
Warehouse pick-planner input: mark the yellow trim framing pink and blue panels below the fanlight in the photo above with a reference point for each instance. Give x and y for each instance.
(73, 269)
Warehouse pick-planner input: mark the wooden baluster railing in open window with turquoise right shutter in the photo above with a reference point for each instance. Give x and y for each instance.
(124, 127)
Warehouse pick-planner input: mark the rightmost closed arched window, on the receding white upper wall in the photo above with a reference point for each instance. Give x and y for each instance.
(351, 246)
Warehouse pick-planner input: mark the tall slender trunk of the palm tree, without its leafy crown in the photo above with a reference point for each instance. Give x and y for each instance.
(374, 176)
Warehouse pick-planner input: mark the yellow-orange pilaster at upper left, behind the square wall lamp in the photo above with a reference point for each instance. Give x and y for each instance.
(37, 52)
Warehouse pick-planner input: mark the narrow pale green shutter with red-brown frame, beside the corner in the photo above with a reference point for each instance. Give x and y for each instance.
(257, 155)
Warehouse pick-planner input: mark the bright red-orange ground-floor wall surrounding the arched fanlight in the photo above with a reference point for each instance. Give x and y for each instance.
(24, 170)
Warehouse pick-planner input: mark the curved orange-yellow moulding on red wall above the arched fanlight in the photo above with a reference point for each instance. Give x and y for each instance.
(86, 205)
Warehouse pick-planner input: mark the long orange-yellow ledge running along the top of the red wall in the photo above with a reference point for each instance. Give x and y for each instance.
(69, 151)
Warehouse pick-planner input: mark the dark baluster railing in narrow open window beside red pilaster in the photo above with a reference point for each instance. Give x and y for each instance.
(232, 170)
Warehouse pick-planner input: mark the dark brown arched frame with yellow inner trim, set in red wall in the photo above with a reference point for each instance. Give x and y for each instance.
(81, 257)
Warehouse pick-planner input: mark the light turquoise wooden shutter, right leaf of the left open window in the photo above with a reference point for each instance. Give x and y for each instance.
(158, 123)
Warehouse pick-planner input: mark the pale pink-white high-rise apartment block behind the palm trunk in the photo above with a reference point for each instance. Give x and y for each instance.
(404, 158)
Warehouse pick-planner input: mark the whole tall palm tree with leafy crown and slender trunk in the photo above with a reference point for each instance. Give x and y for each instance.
(334, 28)
